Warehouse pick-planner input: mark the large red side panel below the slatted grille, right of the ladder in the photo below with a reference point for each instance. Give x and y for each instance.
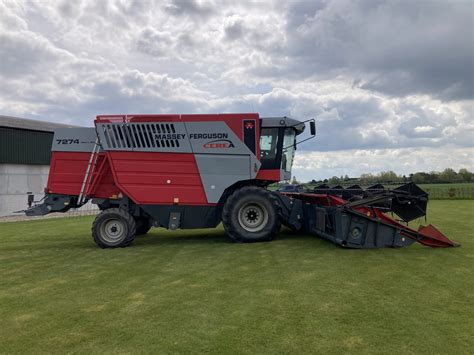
(158, 178)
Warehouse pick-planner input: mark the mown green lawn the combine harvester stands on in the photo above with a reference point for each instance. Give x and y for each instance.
(194, 291)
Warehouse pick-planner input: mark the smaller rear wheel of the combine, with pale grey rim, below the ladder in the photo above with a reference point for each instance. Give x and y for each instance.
(113, 228)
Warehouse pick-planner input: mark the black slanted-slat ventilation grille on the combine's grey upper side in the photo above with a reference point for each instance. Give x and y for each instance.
(139, 135)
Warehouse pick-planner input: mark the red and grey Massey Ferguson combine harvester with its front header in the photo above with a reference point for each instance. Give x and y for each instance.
(196, 171)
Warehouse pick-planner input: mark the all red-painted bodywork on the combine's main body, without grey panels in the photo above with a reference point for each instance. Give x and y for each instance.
(145, 176)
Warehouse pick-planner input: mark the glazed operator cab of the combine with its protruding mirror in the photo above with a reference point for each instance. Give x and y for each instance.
(278, 143)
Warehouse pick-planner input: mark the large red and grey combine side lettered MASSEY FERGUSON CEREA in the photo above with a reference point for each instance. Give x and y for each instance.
(187, 162)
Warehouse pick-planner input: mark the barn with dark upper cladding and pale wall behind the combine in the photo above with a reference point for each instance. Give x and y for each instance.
(25, 151)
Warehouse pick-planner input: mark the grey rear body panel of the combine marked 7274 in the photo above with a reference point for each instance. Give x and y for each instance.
(74, 139)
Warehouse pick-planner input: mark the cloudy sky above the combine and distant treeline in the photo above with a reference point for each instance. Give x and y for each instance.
(390, 83)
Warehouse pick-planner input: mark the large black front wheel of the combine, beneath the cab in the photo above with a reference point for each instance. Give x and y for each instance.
(250, 214)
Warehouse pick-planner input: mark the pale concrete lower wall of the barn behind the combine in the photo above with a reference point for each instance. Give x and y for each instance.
(16, 180)
